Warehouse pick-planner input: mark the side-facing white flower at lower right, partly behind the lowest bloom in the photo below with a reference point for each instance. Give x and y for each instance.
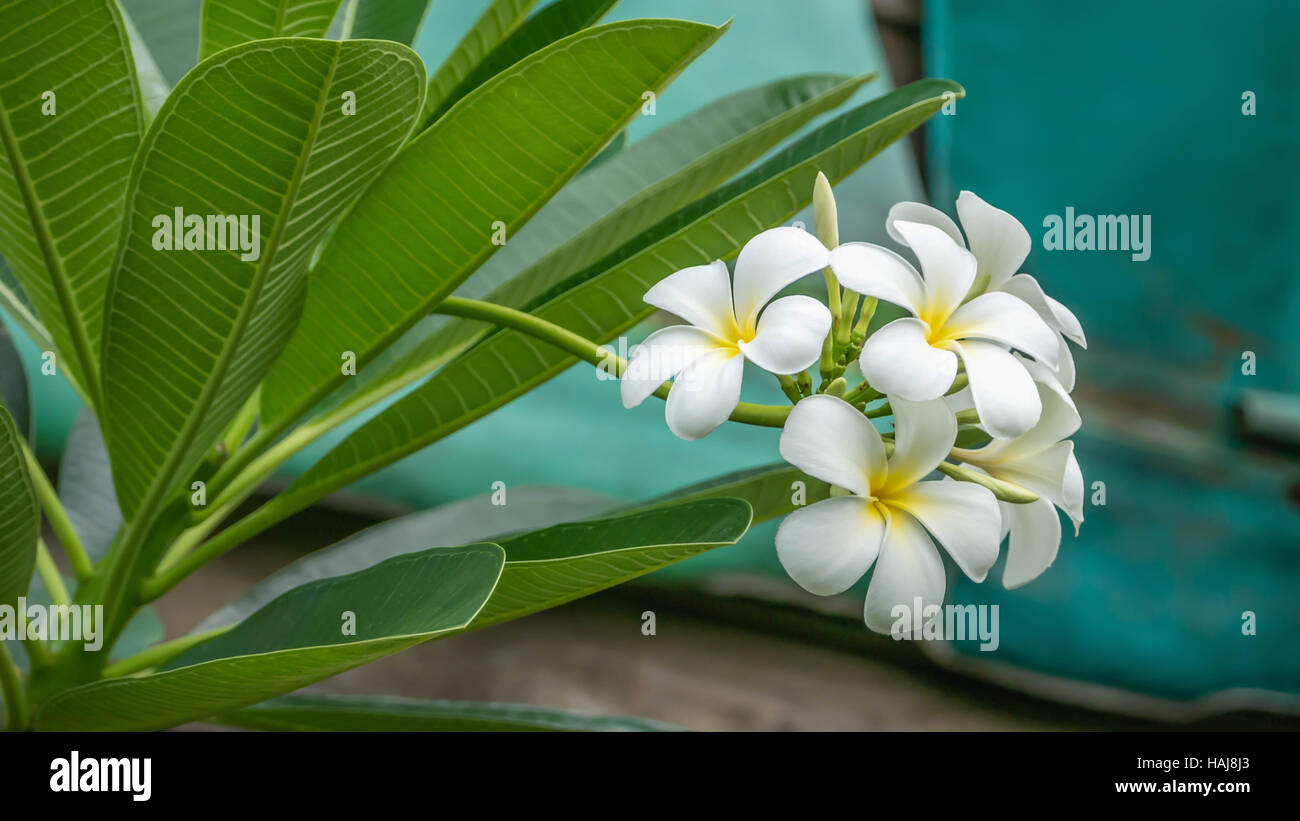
(1043, 462)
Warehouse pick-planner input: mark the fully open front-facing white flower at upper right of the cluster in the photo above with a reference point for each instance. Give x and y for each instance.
(916, 358)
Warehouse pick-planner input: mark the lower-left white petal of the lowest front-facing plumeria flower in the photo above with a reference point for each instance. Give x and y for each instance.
(829, 546)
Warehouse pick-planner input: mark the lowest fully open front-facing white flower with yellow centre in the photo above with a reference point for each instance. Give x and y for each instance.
(829, 546)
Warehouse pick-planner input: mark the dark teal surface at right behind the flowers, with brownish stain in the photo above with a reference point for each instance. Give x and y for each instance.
(1138, 110)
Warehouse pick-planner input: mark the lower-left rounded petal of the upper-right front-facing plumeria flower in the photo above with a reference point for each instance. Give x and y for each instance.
(900, 362)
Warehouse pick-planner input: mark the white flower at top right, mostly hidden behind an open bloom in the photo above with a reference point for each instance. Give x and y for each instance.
(1002, 245)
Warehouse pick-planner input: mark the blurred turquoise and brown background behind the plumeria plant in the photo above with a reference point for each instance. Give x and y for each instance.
(1181, 112)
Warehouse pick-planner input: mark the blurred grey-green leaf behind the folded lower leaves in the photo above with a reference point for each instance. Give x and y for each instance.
(470, 520)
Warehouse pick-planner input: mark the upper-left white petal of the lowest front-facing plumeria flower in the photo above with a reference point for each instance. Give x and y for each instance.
(827, 438)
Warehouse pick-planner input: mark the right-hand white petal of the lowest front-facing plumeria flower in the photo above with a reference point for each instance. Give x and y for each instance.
(963, 516)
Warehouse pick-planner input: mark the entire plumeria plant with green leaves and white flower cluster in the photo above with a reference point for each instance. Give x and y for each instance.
(311, 236)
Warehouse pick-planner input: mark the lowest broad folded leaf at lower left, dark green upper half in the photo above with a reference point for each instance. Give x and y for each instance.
(293, 642)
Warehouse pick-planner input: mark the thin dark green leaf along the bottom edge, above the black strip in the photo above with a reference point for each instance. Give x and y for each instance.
(378, 714)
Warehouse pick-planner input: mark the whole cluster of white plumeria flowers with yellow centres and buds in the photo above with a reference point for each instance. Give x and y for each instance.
(983, 342)
